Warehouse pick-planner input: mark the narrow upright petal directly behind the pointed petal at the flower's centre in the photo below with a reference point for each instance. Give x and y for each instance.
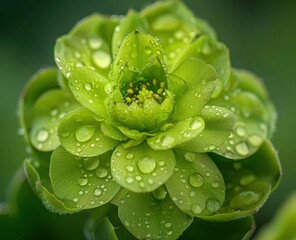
(131, 22)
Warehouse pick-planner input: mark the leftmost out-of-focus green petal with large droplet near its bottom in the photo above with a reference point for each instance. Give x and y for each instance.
(47, 111)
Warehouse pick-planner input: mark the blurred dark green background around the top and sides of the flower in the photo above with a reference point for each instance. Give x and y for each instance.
(261, 36)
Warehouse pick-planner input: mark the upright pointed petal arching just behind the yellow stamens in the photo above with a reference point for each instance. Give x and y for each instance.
(137, 52)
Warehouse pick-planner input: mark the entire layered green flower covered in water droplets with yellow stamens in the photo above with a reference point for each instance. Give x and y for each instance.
(145, 112)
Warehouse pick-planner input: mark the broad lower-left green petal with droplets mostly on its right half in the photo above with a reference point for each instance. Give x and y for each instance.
(86, 182)
